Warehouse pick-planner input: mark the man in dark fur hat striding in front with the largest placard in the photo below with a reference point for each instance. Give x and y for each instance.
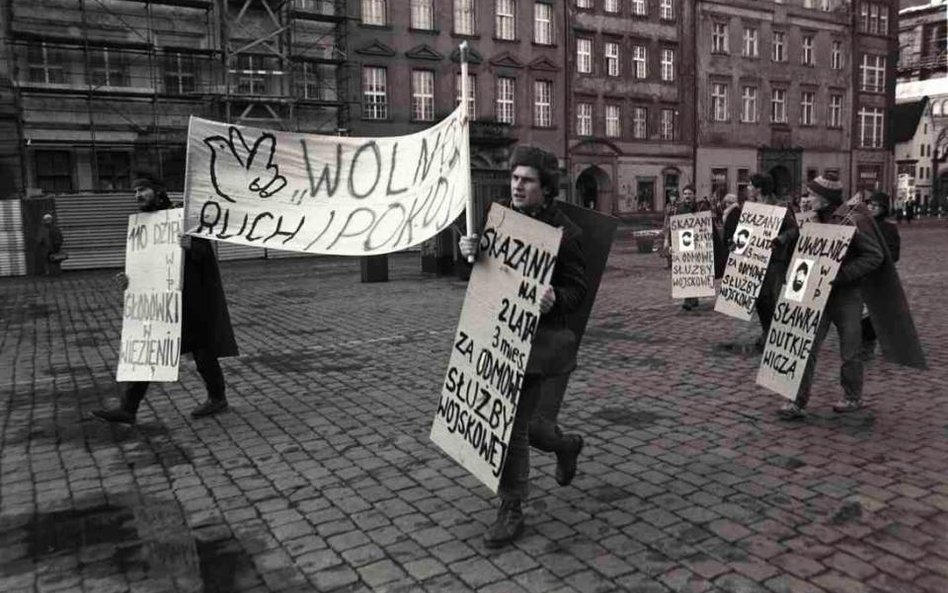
(534, 184)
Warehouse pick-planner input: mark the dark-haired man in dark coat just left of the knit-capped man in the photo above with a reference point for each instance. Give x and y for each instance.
(761, 190)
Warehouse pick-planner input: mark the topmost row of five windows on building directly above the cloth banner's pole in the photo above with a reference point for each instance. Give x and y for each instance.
(465, 21)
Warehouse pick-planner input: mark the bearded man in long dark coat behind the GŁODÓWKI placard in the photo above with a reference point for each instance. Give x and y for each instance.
(206, 331)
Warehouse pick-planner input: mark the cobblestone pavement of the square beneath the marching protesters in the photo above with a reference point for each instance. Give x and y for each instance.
(321, 477)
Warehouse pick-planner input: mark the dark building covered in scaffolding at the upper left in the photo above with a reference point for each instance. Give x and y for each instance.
(104, 88)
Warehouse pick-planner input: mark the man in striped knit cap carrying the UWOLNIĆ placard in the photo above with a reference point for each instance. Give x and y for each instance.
(844, 306)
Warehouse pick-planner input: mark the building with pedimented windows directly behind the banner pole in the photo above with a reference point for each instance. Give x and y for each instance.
(405, 74)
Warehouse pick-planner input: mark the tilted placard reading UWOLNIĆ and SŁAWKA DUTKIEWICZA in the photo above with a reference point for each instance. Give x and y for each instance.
(820, 250)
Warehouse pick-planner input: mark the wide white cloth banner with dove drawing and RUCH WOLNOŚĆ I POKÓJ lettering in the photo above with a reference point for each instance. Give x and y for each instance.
(325, 194)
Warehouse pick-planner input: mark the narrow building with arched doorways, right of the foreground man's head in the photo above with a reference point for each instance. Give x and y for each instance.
(630, 130)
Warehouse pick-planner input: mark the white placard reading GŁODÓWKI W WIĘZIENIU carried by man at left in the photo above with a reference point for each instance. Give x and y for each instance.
(151, 319)
